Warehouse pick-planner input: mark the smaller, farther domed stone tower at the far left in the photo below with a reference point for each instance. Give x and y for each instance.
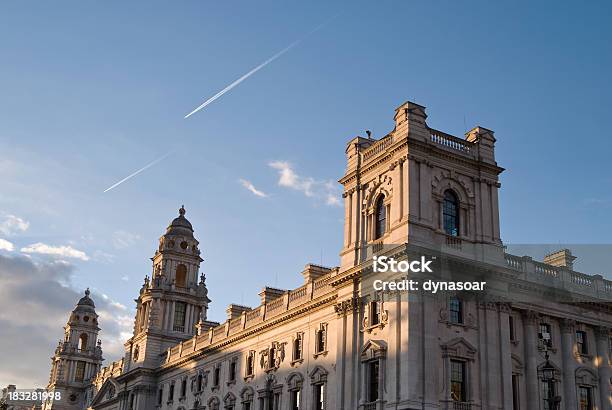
(77, 358)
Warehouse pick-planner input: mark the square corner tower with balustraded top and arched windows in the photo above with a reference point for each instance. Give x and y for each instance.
(421, 186)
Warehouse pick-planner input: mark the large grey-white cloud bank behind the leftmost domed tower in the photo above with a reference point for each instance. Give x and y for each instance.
(44, 291)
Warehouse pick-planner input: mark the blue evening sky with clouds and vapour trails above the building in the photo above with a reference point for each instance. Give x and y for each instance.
(91, 92)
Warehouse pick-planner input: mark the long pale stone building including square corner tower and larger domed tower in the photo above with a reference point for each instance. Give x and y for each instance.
(538, 337)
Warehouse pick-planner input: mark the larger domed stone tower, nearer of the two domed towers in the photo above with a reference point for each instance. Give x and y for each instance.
(173, 301)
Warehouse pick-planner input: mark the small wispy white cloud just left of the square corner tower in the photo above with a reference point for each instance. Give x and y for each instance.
(328, 191)
